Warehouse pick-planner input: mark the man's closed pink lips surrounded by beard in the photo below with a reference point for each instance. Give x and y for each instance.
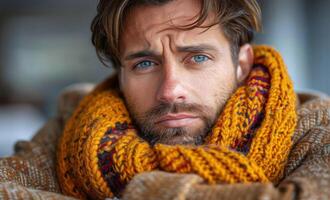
(176, 120)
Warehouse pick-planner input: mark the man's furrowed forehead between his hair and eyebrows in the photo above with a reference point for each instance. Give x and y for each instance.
(147, 24)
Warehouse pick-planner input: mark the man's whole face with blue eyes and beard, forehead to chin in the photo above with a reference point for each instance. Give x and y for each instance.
(175, 82)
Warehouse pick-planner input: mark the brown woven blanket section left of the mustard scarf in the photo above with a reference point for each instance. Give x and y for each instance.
(30, 173)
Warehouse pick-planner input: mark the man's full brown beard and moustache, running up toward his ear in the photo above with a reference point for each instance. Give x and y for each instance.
(150, 131)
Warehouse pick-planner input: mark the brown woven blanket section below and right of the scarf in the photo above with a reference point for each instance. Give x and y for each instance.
(307, 172)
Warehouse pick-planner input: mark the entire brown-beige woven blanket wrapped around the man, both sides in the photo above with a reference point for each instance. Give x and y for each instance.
(30, 172)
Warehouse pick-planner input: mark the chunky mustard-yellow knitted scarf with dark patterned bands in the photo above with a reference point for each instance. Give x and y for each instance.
(100, 150)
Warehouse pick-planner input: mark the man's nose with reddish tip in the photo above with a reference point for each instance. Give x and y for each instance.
(171, 89)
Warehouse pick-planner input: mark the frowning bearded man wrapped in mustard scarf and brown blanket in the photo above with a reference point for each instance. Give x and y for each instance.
(193, 111)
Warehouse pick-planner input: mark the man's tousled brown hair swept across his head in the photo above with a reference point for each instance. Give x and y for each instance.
(238, 18)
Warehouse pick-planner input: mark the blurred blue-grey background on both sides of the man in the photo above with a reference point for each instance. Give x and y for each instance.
(45, 46)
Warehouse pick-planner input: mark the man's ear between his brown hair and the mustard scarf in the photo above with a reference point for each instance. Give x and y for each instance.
(245, 62)
